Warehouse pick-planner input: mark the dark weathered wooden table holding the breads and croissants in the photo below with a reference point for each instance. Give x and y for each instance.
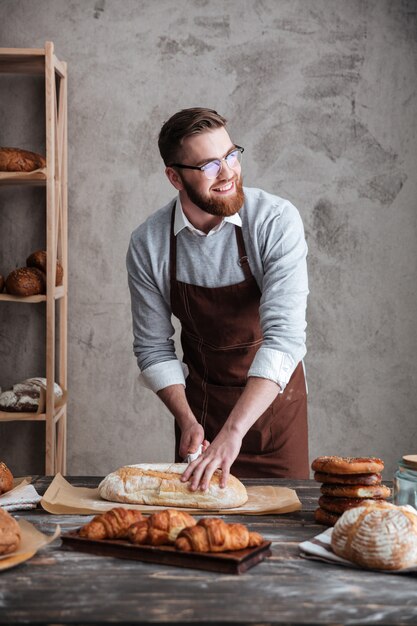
(63, 587)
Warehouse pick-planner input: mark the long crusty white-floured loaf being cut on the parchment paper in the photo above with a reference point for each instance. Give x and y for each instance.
(159, 484)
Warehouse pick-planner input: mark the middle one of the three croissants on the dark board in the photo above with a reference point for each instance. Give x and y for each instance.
(161, 528)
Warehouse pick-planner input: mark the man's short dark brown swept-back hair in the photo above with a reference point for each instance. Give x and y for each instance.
(183, 124)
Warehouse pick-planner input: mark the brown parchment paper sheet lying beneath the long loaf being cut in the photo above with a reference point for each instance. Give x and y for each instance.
(62, 498)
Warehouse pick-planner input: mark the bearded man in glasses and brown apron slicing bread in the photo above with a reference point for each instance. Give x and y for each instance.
(230, 263)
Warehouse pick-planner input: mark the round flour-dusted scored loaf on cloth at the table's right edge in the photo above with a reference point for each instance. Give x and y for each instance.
(377, 535)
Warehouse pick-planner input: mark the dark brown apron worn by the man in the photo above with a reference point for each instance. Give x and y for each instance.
(220, 335)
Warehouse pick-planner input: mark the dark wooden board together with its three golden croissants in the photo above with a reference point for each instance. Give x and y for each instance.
(171, 537)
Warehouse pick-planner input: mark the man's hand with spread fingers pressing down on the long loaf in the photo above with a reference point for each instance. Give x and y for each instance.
(220, 454)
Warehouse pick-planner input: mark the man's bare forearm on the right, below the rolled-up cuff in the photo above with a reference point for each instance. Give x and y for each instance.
(257, 396)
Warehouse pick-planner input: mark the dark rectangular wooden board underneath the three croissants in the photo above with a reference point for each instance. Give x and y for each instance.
(235, 562)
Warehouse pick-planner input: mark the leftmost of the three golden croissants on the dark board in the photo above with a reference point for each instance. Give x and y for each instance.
(111, 525)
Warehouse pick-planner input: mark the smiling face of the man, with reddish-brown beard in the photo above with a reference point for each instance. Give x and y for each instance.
(221, 196)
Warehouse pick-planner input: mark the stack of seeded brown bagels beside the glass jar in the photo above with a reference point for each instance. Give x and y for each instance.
(346, 483)
